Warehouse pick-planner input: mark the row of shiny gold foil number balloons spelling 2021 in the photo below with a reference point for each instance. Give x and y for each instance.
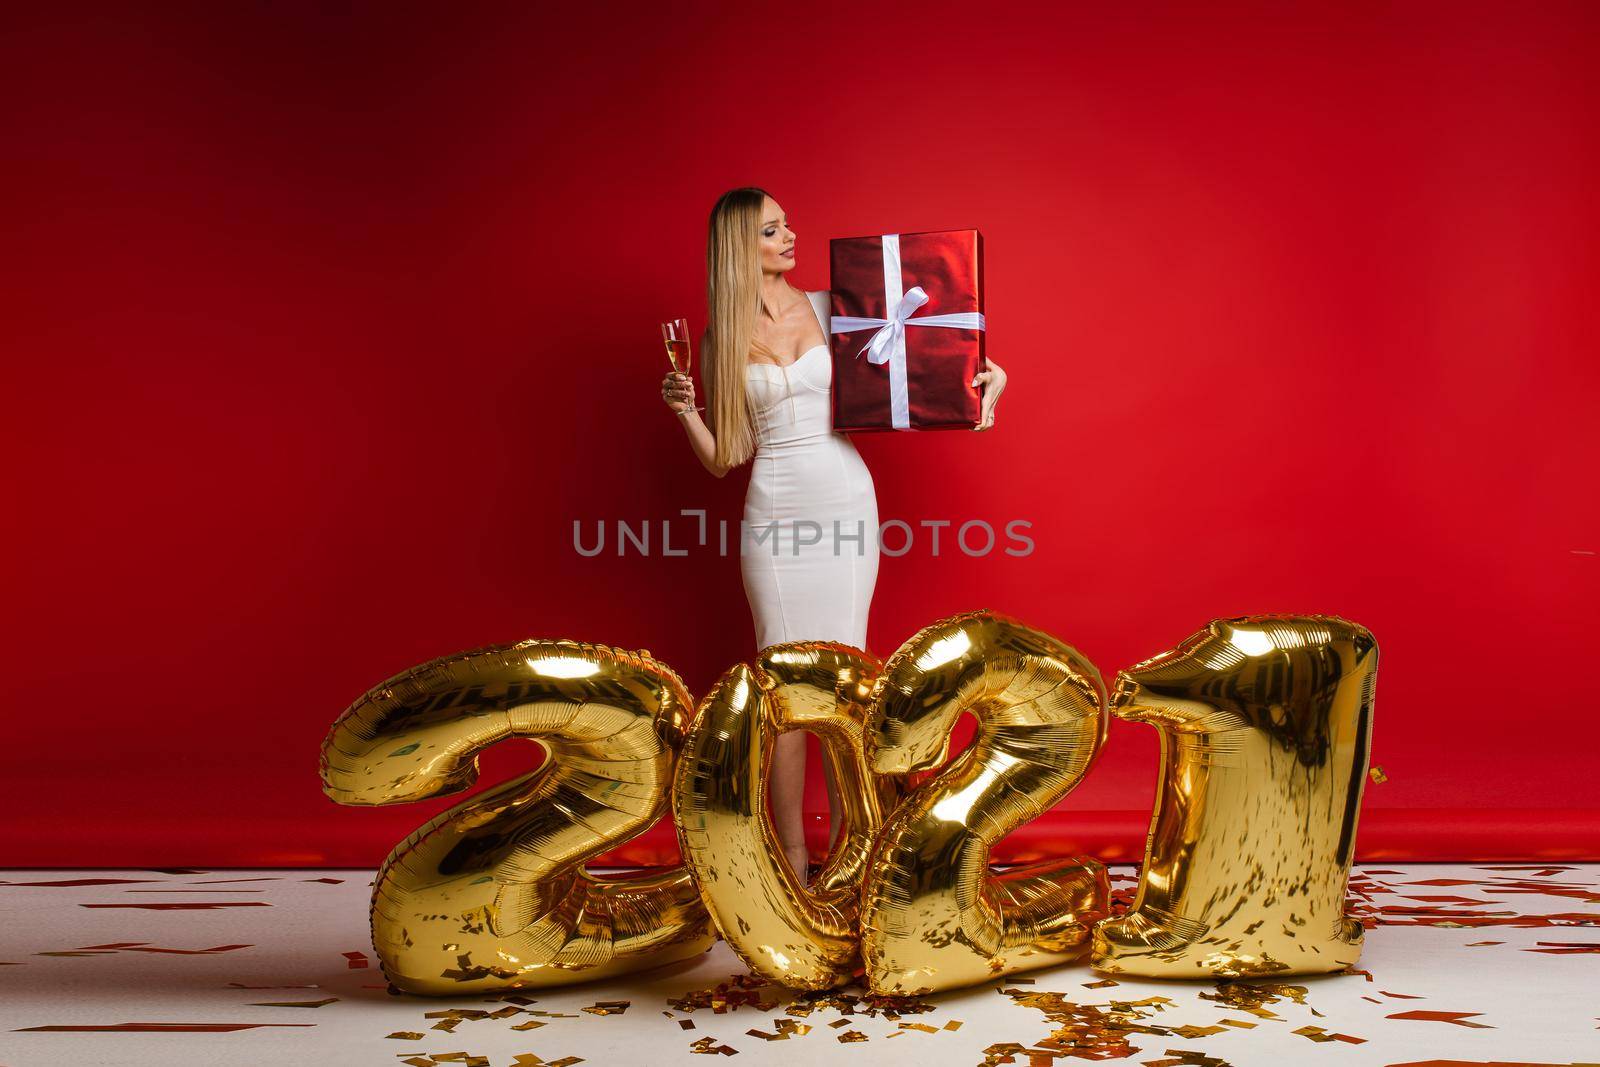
(1265, 725)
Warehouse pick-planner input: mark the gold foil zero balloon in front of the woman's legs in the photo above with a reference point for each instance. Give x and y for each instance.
(783, 930)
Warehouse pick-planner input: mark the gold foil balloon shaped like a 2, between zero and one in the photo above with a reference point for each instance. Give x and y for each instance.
(932, 914)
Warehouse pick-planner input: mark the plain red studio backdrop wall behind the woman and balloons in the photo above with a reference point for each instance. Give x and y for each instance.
(321, 329)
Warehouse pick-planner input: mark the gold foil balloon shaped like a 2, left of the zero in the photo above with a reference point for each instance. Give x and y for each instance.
(494, 895)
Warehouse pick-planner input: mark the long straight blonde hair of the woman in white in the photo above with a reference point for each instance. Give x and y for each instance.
(734, 300)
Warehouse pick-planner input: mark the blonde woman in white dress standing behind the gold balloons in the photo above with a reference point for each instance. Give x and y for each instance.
(810, 545)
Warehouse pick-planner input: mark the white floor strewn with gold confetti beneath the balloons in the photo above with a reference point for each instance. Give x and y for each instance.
(1506, 957)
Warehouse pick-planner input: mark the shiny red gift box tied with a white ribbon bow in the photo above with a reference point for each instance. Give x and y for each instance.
(908, 330)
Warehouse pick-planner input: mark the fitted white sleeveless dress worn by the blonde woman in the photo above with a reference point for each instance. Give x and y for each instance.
(810, 538)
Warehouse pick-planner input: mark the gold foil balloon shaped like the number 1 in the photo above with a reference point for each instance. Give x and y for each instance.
(1266, 727)
